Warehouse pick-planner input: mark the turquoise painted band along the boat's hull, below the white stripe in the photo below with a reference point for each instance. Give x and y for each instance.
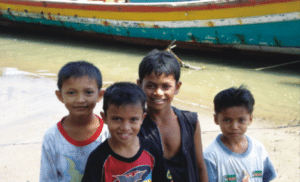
(283, 34)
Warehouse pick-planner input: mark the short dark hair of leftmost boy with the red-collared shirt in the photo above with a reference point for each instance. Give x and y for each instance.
(79, 69)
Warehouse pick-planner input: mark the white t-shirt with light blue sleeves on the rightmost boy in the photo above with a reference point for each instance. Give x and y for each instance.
(223, 165)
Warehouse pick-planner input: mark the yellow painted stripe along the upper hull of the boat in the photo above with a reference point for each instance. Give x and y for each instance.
(222, 13)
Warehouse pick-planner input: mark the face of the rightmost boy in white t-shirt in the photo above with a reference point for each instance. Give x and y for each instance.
(233, 122)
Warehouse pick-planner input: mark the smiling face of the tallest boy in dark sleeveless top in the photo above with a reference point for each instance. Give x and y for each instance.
(160, 90)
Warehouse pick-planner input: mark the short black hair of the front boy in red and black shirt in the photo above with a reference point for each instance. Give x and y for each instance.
(124, 93)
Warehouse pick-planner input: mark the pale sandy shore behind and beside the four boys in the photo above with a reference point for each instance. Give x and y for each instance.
(29, 107)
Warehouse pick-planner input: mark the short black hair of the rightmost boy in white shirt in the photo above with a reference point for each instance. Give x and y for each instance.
(234, 97)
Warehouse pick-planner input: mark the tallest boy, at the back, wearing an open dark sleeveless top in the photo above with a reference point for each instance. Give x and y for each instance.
(176, 132)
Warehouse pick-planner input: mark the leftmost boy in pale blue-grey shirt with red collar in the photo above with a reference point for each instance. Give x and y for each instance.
(67, 145)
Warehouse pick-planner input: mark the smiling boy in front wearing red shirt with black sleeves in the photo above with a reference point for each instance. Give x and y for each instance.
(125, 156)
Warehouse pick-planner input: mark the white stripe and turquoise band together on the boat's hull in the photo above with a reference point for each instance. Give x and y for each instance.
(269, 33)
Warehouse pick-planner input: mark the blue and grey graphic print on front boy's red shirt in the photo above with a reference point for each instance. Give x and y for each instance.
(137, 174)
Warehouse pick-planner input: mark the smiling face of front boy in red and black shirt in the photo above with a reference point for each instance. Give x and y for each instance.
(124, 122)
